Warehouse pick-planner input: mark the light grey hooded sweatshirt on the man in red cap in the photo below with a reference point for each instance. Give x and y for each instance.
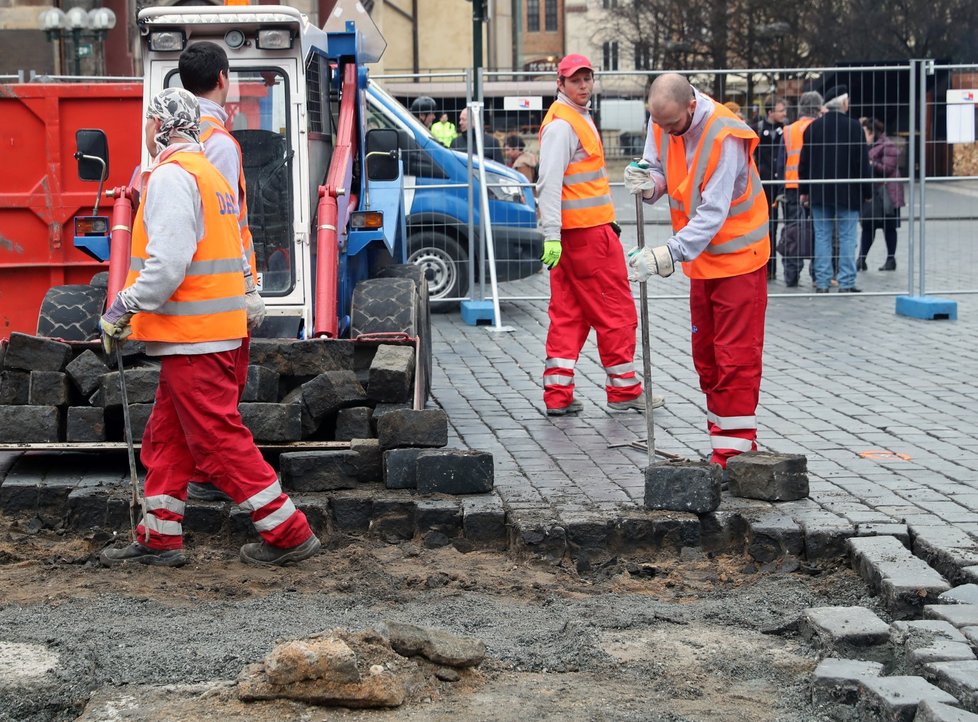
(559, 147)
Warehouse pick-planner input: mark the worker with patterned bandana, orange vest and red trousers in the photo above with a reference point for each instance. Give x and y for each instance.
(185, 298)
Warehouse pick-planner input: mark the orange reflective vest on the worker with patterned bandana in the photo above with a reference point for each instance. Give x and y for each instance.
(209, 303)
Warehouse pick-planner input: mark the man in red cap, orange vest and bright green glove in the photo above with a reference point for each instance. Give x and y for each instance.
(588, 281)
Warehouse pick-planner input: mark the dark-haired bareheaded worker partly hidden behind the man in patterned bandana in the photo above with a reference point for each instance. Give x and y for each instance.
(204, 71)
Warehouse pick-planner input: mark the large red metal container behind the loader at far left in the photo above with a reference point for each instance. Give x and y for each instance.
(40, 193)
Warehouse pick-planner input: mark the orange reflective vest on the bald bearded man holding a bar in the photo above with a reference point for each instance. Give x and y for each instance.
(742, 244)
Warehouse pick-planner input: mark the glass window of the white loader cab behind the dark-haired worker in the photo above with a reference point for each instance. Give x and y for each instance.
(258, 118)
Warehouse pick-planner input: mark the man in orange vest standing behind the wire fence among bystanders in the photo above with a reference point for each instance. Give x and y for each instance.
(795, 214)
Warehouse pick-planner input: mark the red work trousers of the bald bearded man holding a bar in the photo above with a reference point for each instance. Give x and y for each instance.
(727, 316)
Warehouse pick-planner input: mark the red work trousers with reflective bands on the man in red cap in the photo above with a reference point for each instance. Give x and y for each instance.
(589, 289)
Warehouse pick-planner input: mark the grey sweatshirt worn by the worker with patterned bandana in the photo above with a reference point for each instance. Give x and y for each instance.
(173, 216)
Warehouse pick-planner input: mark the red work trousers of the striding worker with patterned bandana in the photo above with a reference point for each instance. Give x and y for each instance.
(195, 423)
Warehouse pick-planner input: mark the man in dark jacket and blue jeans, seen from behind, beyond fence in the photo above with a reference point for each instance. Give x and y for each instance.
(834, 149)
